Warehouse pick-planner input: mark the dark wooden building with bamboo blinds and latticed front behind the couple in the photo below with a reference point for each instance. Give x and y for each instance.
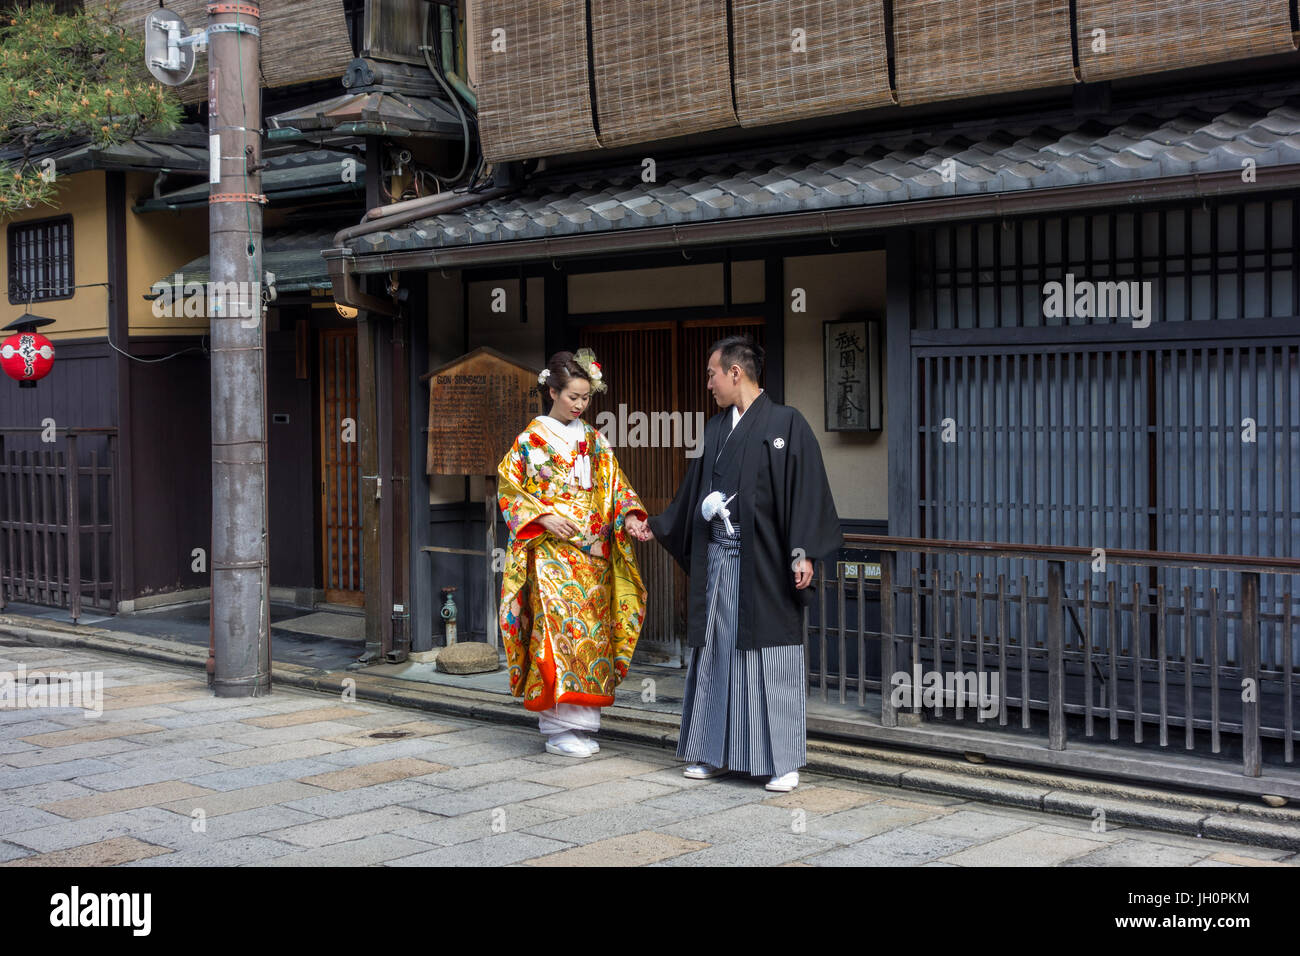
(961, 202)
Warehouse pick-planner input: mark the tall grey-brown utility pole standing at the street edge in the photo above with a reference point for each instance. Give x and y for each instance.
(240, 561)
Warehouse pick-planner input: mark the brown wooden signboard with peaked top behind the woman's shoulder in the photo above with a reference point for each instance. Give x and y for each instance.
(478, 406)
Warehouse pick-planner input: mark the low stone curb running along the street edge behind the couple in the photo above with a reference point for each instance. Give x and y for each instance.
(1069, 795)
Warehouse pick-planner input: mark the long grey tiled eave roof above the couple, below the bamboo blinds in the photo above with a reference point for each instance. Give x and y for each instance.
(1147, 142)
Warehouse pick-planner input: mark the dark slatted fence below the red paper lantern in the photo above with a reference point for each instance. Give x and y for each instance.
(57, 518)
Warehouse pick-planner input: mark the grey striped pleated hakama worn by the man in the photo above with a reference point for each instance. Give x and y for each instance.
(743, 710)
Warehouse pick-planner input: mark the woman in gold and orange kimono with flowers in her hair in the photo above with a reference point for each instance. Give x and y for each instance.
(573, 602)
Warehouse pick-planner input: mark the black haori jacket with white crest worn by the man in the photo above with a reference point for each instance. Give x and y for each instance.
(786, 504)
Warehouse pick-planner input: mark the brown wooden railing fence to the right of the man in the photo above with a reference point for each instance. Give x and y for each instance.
(1067, 641)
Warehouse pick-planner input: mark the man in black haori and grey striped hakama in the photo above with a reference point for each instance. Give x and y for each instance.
(752, 516)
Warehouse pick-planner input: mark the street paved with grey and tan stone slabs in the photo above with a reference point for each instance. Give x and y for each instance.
(170, 776)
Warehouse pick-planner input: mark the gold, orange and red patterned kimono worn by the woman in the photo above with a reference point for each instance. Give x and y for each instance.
(571, 609)
